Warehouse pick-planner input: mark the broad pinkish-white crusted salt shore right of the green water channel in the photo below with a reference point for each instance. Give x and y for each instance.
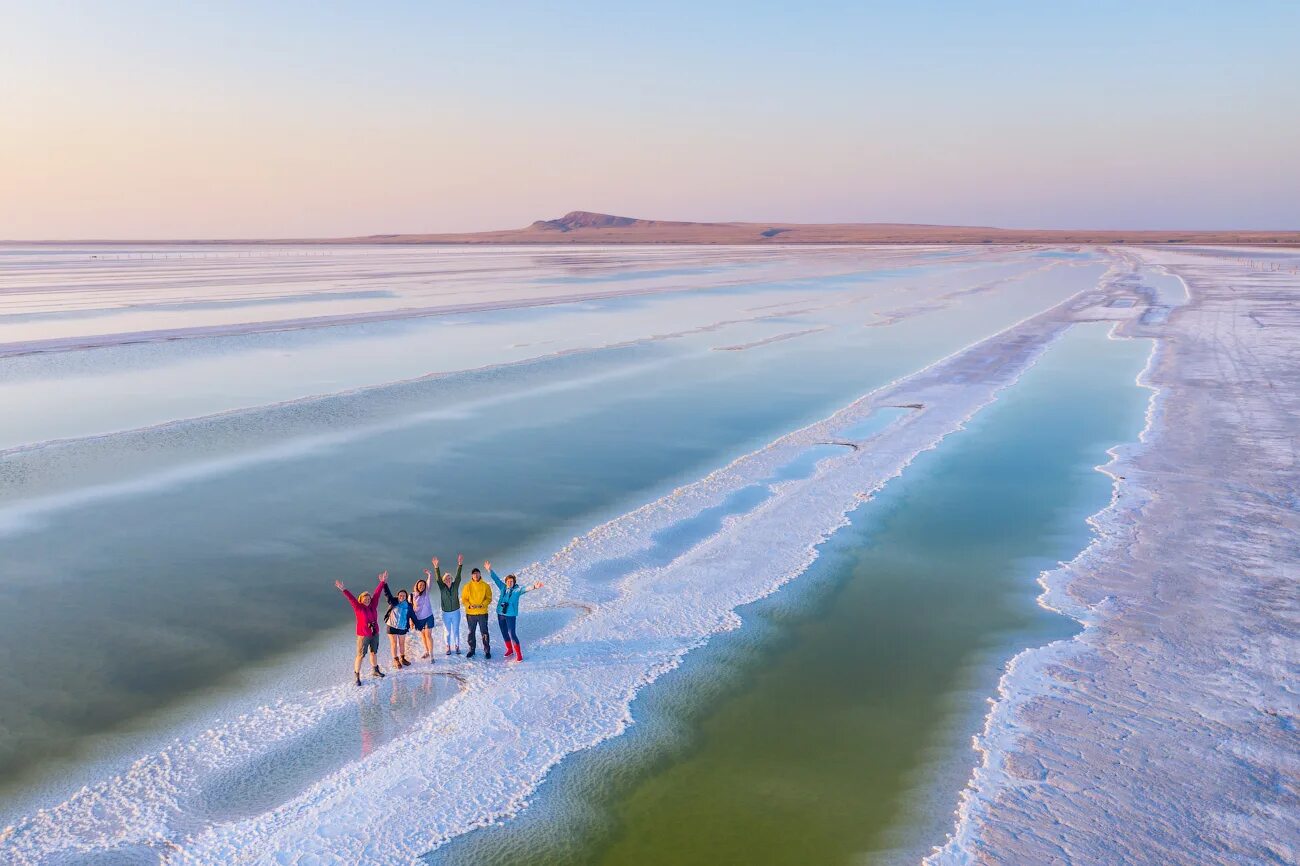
(1165, 731)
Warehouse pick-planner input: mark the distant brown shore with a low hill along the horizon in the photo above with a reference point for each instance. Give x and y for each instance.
(588, 228)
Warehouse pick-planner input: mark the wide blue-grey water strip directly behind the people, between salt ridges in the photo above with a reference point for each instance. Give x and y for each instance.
(180, 587)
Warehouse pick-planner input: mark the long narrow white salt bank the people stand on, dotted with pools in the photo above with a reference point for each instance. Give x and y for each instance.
(476, 759)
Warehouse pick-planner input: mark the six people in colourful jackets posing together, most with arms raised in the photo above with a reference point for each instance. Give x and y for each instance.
(413, 610)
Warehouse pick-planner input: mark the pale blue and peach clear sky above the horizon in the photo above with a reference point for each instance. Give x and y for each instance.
(144, 119)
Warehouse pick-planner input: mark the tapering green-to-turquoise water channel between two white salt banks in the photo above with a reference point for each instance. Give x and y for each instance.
(835, 725)
